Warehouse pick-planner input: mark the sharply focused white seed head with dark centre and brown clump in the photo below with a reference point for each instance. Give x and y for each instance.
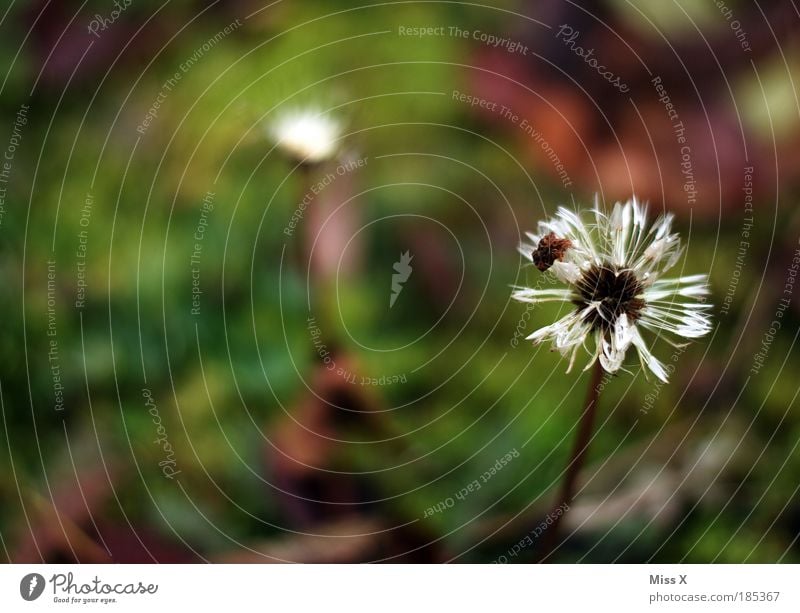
(613, 266)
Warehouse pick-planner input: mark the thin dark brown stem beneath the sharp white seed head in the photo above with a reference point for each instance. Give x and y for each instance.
(582, 439)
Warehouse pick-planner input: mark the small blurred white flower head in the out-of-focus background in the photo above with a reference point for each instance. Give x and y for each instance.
(307, 135)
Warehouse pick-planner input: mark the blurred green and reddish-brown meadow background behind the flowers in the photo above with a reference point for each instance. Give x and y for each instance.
(195, 366)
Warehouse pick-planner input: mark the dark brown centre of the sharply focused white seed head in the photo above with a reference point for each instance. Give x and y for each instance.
(613, 291)
